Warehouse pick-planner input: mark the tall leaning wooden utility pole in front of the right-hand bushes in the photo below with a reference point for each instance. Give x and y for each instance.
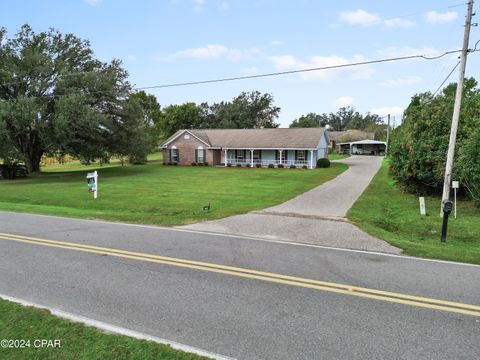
(456, 109)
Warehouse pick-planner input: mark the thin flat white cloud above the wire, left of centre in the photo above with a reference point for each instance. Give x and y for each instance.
(213, 51)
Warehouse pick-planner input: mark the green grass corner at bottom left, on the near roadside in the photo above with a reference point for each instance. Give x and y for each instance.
(77, 341)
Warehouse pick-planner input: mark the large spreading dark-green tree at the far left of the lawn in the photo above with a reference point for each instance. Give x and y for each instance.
(56, 97)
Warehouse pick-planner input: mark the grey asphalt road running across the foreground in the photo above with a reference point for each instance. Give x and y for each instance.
(232, 312)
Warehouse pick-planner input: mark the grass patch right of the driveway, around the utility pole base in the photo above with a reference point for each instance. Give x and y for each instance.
(388, 213)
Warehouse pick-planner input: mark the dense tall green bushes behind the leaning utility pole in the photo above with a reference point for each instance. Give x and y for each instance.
(419, 146)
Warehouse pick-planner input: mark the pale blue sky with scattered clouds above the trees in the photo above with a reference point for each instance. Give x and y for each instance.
(175, 41)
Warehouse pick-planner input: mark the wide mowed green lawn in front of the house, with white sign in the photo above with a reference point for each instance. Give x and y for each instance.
(158, 194)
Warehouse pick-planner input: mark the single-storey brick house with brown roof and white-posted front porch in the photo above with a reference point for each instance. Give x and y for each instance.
(247, 147)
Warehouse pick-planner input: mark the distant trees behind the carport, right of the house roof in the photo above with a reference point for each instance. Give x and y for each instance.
(345, 118)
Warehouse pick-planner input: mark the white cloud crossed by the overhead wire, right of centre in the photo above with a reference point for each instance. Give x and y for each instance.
(289, 62)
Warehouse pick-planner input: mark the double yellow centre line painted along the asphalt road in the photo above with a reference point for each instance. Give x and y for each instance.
(343, 289)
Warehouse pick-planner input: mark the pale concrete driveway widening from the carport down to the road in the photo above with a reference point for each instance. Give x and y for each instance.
(315, 217)
